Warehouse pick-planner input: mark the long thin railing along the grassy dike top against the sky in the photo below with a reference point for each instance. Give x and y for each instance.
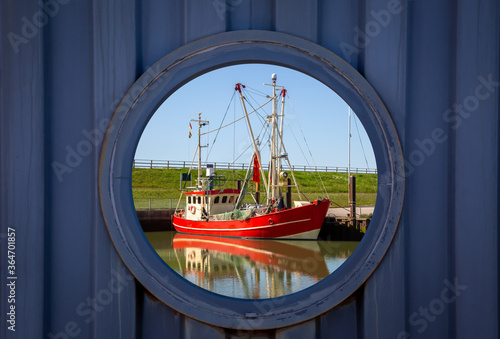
(142, 163)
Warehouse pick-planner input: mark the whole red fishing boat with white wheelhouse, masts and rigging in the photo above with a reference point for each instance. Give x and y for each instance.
(221, 212)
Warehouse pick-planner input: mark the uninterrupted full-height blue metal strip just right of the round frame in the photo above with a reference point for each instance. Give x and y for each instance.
(427, 192)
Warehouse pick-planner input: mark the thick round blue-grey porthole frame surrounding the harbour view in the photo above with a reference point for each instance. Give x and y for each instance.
(181, 66)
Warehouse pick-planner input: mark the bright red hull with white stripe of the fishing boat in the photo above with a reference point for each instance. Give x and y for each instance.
(302, 222)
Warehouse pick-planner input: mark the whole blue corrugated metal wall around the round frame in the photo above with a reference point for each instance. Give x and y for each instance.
(435, 65)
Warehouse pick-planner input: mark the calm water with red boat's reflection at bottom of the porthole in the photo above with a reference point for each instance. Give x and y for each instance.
(250, 268)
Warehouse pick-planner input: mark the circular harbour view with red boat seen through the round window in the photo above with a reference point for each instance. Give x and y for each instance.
(254, 181)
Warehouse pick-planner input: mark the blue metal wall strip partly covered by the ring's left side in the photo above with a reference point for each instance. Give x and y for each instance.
(114, 71)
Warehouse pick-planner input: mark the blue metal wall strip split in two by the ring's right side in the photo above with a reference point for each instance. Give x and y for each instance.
(385, 62)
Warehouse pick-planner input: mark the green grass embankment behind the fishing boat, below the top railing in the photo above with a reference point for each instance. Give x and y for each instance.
(162, 186)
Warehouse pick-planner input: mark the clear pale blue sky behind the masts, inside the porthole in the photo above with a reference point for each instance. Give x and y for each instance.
(317, 110)
